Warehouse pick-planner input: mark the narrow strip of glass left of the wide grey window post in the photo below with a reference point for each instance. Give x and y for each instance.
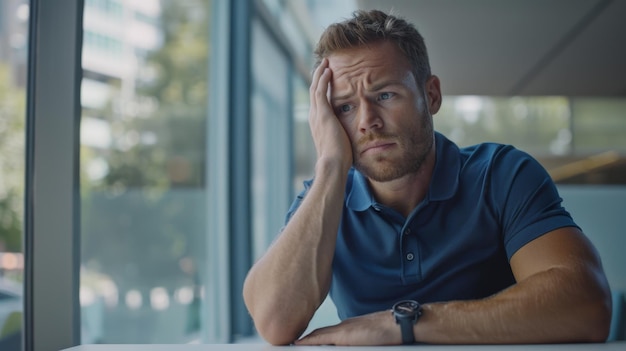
(13, 62)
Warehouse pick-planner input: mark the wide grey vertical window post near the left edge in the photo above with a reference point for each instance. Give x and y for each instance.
(51, 224)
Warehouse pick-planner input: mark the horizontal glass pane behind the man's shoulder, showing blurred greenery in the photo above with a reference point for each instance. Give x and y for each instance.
(578, 140)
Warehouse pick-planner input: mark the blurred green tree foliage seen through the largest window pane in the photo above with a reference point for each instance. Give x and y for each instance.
(178, 123)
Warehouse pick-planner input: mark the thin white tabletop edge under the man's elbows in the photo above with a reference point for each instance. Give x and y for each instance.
(614, 346)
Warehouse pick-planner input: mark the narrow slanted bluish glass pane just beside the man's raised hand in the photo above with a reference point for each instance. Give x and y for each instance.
(270, 121)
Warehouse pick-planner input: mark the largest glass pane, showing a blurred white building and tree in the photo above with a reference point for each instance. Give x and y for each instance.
(143, 177)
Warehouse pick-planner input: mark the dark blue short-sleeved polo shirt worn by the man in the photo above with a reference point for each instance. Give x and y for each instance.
(484, 203)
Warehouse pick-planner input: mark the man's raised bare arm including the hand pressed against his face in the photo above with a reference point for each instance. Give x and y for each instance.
(288, 283)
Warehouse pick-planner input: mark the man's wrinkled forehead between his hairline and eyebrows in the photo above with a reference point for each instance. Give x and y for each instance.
(368, 64)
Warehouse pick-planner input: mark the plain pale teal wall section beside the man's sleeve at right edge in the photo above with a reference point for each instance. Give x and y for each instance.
(601, 212)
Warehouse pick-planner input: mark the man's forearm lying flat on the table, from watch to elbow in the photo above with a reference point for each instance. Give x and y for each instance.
(557, 305)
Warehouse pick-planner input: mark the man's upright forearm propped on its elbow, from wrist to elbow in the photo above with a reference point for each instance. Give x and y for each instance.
(286, 286)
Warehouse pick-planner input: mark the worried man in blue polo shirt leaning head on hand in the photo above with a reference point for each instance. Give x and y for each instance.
(473, 243)
